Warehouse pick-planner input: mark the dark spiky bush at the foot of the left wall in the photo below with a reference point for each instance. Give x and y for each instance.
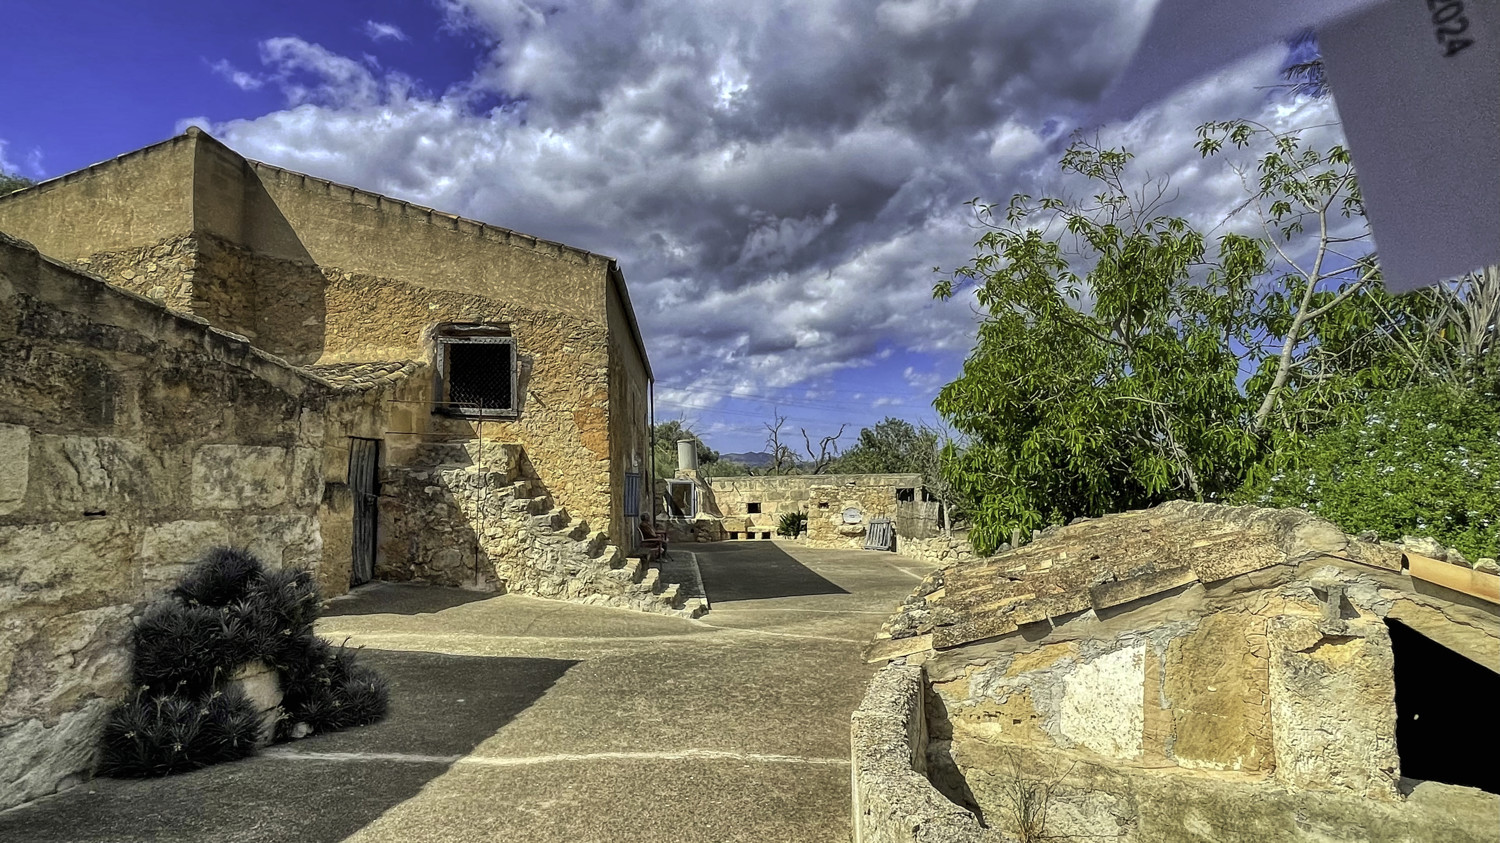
(227, 611)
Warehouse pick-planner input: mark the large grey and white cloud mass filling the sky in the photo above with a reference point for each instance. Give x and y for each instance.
(778, 179)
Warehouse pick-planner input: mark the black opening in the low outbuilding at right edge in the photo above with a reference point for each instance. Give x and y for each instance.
(1435, 686)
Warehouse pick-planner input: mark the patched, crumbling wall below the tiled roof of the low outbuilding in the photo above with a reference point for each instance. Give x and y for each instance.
(1271, 695)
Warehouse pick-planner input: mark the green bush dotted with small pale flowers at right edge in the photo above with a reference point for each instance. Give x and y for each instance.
(1415, 463)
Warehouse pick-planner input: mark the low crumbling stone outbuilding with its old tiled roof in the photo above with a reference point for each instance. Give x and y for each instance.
(1184, 674)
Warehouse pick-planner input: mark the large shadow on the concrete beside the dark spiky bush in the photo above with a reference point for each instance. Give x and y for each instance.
(308, 791)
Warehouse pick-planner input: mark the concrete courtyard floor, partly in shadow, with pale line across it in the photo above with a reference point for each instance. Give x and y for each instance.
(524, 719)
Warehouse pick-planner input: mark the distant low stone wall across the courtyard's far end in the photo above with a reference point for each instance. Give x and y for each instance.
(823, 497)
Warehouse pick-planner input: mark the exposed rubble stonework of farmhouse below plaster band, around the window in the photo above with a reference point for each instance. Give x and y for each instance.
(329, 316)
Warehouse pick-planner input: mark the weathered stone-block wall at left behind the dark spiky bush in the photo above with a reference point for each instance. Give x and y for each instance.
(131, 440)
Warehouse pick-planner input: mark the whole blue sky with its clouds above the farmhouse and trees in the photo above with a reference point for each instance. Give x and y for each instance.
(778, 178)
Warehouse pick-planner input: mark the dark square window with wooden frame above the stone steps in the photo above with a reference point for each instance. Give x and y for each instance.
(478, 373)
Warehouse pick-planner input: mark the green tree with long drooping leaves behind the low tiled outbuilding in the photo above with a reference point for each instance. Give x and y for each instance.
(1106, 391)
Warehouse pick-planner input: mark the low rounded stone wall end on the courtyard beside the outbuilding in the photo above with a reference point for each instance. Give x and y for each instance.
(893, 800)
